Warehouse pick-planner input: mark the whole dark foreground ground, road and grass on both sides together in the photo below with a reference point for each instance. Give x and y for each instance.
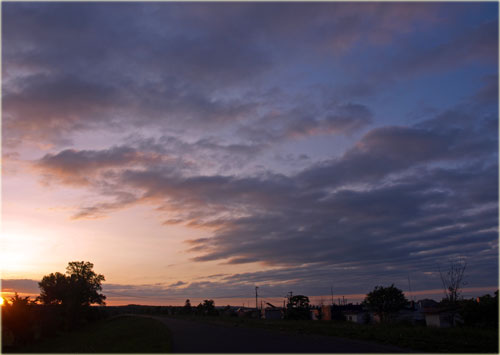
(190, 334)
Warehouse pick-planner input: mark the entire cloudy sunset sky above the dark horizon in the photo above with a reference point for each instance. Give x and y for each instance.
(198, 150)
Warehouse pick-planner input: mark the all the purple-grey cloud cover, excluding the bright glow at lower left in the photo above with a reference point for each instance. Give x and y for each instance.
(211, 88)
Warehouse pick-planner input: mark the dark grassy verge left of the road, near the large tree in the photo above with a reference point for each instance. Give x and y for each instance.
(123, 334)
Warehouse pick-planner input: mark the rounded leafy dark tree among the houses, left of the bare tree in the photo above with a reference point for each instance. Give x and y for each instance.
(385, 301)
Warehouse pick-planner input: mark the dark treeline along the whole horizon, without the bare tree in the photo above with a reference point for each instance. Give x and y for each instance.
(67, 302)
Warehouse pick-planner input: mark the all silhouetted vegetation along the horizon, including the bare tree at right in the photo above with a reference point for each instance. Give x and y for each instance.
(67, 299)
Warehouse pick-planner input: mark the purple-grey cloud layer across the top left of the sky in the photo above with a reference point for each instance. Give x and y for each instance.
(87, 66)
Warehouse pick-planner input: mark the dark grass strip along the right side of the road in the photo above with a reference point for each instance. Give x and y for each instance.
(420, 338)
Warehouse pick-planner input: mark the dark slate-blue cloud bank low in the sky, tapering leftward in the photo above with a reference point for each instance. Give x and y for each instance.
(405, 196)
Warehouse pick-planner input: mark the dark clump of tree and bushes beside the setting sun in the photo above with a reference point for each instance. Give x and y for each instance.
(64, 304)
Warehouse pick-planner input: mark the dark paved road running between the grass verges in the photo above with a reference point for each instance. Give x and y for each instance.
(198, 337)
